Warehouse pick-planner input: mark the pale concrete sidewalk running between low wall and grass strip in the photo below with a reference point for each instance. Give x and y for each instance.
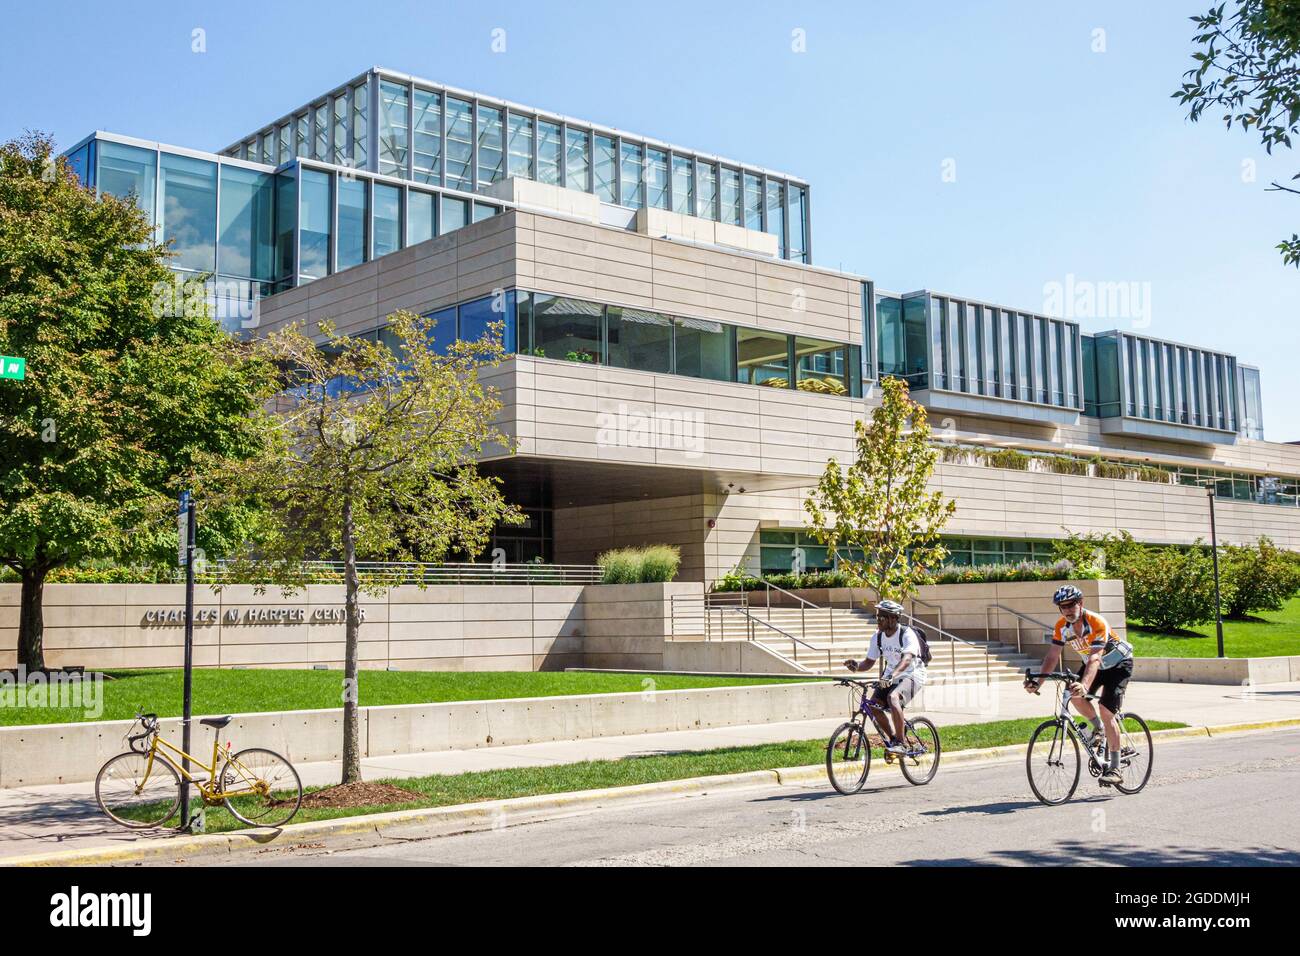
(40, 820)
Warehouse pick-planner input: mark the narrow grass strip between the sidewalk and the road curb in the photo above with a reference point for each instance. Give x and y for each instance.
(443, 790)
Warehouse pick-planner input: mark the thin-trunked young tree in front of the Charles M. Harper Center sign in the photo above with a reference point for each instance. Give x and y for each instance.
(372, 455)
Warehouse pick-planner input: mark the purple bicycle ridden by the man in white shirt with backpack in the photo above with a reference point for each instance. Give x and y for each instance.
(848, 755)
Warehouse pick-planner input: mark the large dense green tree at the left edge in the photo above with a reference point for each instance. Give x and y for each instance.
(127, 383)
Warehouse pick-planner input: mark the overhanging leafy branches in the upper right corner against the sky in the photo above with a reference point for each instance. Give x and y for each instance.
(1249, 66)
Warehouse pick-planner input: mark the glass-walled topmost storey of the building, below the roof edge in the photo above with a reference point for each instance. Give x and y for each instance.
(436, 137)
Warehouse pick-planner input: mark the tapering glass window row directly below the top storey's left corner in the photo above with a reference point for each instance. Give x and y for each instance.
(349, 219)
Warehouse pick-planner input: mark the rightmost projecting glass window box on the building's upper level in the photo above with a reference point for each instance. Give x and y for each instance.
(1162, 382)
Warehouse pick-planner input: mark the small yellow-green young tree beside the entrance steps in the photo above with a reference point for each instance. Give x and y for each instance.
(879, 507)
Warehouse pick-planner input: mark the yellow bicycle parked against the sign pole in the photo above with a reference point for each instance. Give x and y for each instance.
(142, 788)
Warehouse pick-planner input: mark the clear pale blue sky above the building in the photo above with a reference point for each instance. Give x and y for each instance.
(986, 150)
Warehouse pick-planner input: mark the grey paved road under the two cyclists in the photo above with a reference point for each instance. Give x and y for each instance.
(1221, 802)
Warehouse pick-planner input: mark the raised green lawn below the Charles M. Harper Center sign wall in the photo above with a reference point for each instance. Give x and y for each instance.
(255, 691)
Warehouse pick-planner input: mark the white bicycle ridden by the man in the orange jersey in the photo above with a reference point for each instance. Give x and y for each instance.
(1055, 763)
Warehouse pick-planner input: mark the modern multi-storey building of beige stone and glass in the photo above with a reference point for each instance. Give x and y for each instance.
(648, 291)
